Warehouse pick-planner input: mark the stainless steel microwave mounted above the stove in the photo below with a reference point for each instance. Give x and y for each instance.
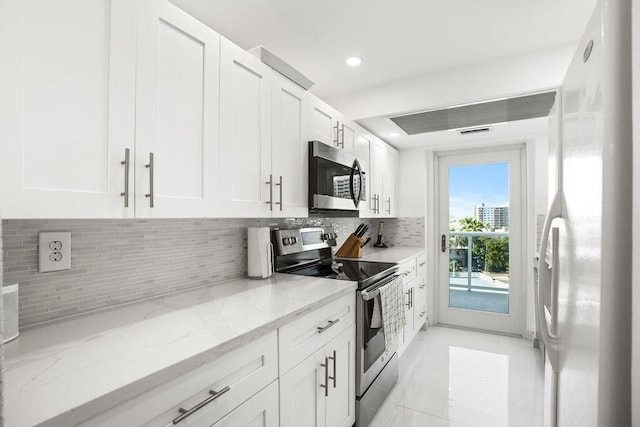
(336, 181)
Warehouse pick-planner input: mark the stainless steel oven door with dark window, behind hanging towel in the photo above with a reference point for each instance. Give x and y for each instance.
(371, 352)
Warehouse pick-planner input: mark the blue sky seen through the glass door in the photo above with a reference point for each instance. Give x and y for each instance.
(476, 184)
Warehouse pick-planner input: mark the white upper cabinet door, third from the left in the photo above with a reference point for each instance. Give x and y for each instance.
(246, 185)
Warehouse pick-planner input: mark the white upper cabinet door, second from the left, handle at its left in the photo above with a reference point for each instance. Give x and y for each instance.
(176, 113)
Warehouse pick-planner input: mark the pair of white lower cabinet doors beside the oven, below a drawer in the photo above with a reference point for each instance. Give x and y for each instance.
(320, 391)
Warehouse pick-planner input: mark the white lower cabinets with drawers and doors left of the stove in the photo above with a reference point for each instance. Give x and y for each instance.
(313, 356)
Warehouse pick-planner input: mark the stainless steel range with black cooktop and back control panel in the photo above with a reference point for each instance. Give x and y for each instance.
(307, 252)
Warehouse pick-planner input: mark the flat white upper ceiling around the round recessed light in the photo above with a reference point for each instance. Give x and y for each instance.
(397, 39)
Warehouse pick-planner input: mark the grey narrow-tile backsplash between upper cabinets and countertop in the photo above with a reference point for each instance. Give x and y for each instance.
(124, 260)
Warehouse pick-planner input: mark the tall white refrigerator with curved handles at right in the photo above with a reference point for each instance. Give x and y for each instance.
(583, 293)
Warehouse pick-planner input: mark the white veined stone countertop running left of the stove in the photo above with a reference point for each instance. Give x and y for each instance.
(65, 371)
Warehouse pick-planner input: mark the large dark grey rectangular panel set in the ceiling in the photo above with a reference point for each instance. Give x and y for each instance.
(479, 114)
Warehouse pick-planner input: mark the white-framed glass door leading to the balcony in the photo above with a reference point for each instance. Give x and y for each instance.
(480, 240)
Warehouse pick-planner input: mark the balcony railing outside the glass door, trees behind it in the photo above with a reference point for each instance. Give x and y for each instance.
(479, 260)
